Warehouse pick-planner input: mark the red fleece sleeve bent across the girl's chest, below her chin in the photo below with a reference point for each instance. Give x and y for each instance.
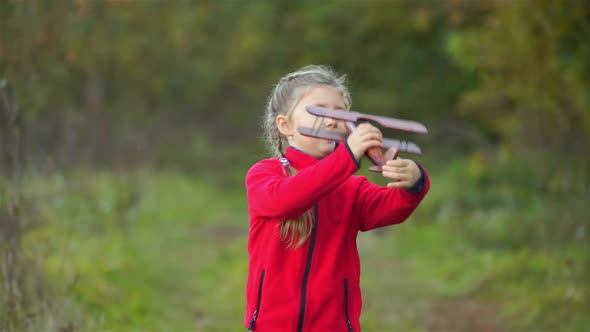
(271, 193)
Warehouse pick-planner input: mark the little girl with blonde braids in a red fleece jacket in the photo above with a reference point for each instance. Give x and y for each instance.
(306, 207)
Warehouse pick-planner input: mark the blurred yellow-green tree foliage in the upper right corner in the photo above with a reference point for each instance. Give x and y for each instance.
(533, 88)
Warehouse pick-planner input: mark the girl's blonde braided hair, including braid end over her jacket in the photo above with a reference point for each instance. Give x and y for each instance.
(285, 95)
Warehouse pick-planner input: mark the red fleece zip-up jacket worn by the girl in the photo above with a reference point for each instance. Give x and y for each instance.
(315, 287)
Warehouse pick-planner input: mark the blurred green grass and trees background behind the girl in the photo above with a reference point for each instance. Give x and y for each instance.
(127, 127)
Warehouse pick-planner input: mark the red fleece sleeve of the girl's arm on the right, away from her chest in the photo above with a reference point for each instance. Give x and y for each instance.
(377, 206)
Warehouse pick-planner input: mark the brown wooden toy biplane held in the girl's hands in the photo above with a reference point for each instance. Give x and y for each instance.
(352, 119)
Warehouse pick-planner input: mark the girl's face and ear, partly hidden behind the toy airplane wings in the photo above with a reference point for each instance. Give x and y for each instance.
(322, 96)
